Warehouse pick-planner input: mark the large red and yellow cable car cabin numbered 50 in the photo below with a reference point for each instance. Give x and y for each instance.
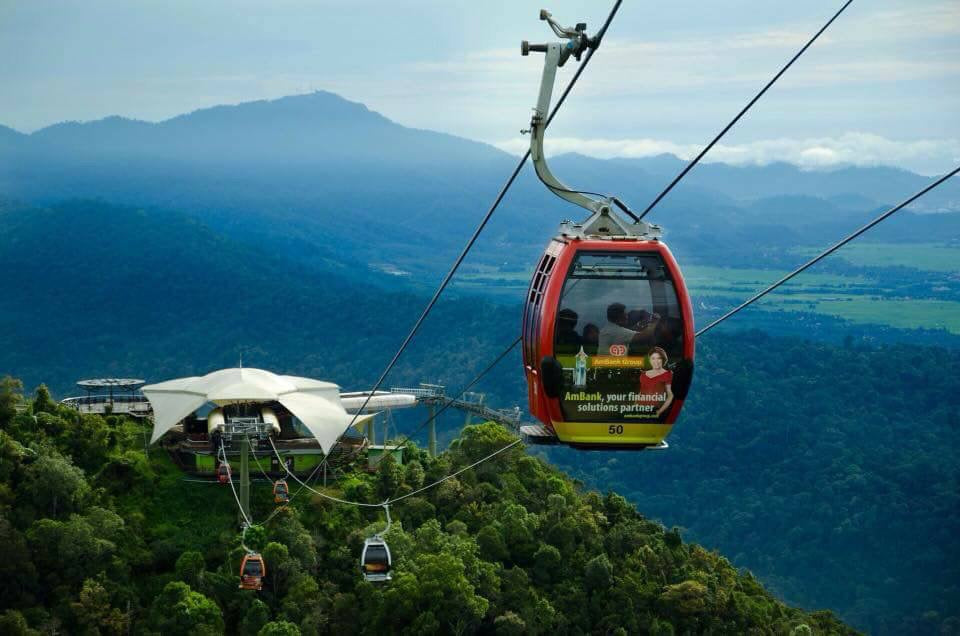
(608, 343)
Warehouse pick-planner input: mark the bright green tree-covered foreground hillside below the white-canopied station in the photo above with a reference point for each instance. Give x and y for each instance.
(101, 539)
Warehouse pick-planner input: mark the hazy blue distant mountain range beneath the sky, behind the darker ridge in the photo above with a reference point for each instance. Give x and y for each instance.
(329, 182)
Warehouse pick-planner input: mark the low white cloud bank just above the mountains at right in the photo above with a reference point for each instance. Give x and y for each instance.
(926, 156)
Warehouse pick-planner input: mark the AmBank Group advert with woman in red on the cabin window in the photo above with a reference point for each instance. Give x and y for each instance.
(616, 386)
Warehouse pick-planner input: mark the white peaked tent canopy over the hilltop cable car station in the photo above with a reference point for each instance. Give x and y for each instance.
(317, 404)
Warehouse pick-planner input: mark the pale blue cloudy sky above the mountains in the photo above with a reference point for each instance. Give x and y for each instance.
(882, 85)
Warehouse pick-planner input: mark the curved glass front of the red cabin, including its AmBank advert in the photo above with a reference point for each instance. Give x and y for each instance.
(619, 330)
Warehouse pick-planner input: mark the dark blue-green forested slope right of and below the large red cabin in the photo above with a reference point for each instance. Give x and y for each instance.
(831, 472)
